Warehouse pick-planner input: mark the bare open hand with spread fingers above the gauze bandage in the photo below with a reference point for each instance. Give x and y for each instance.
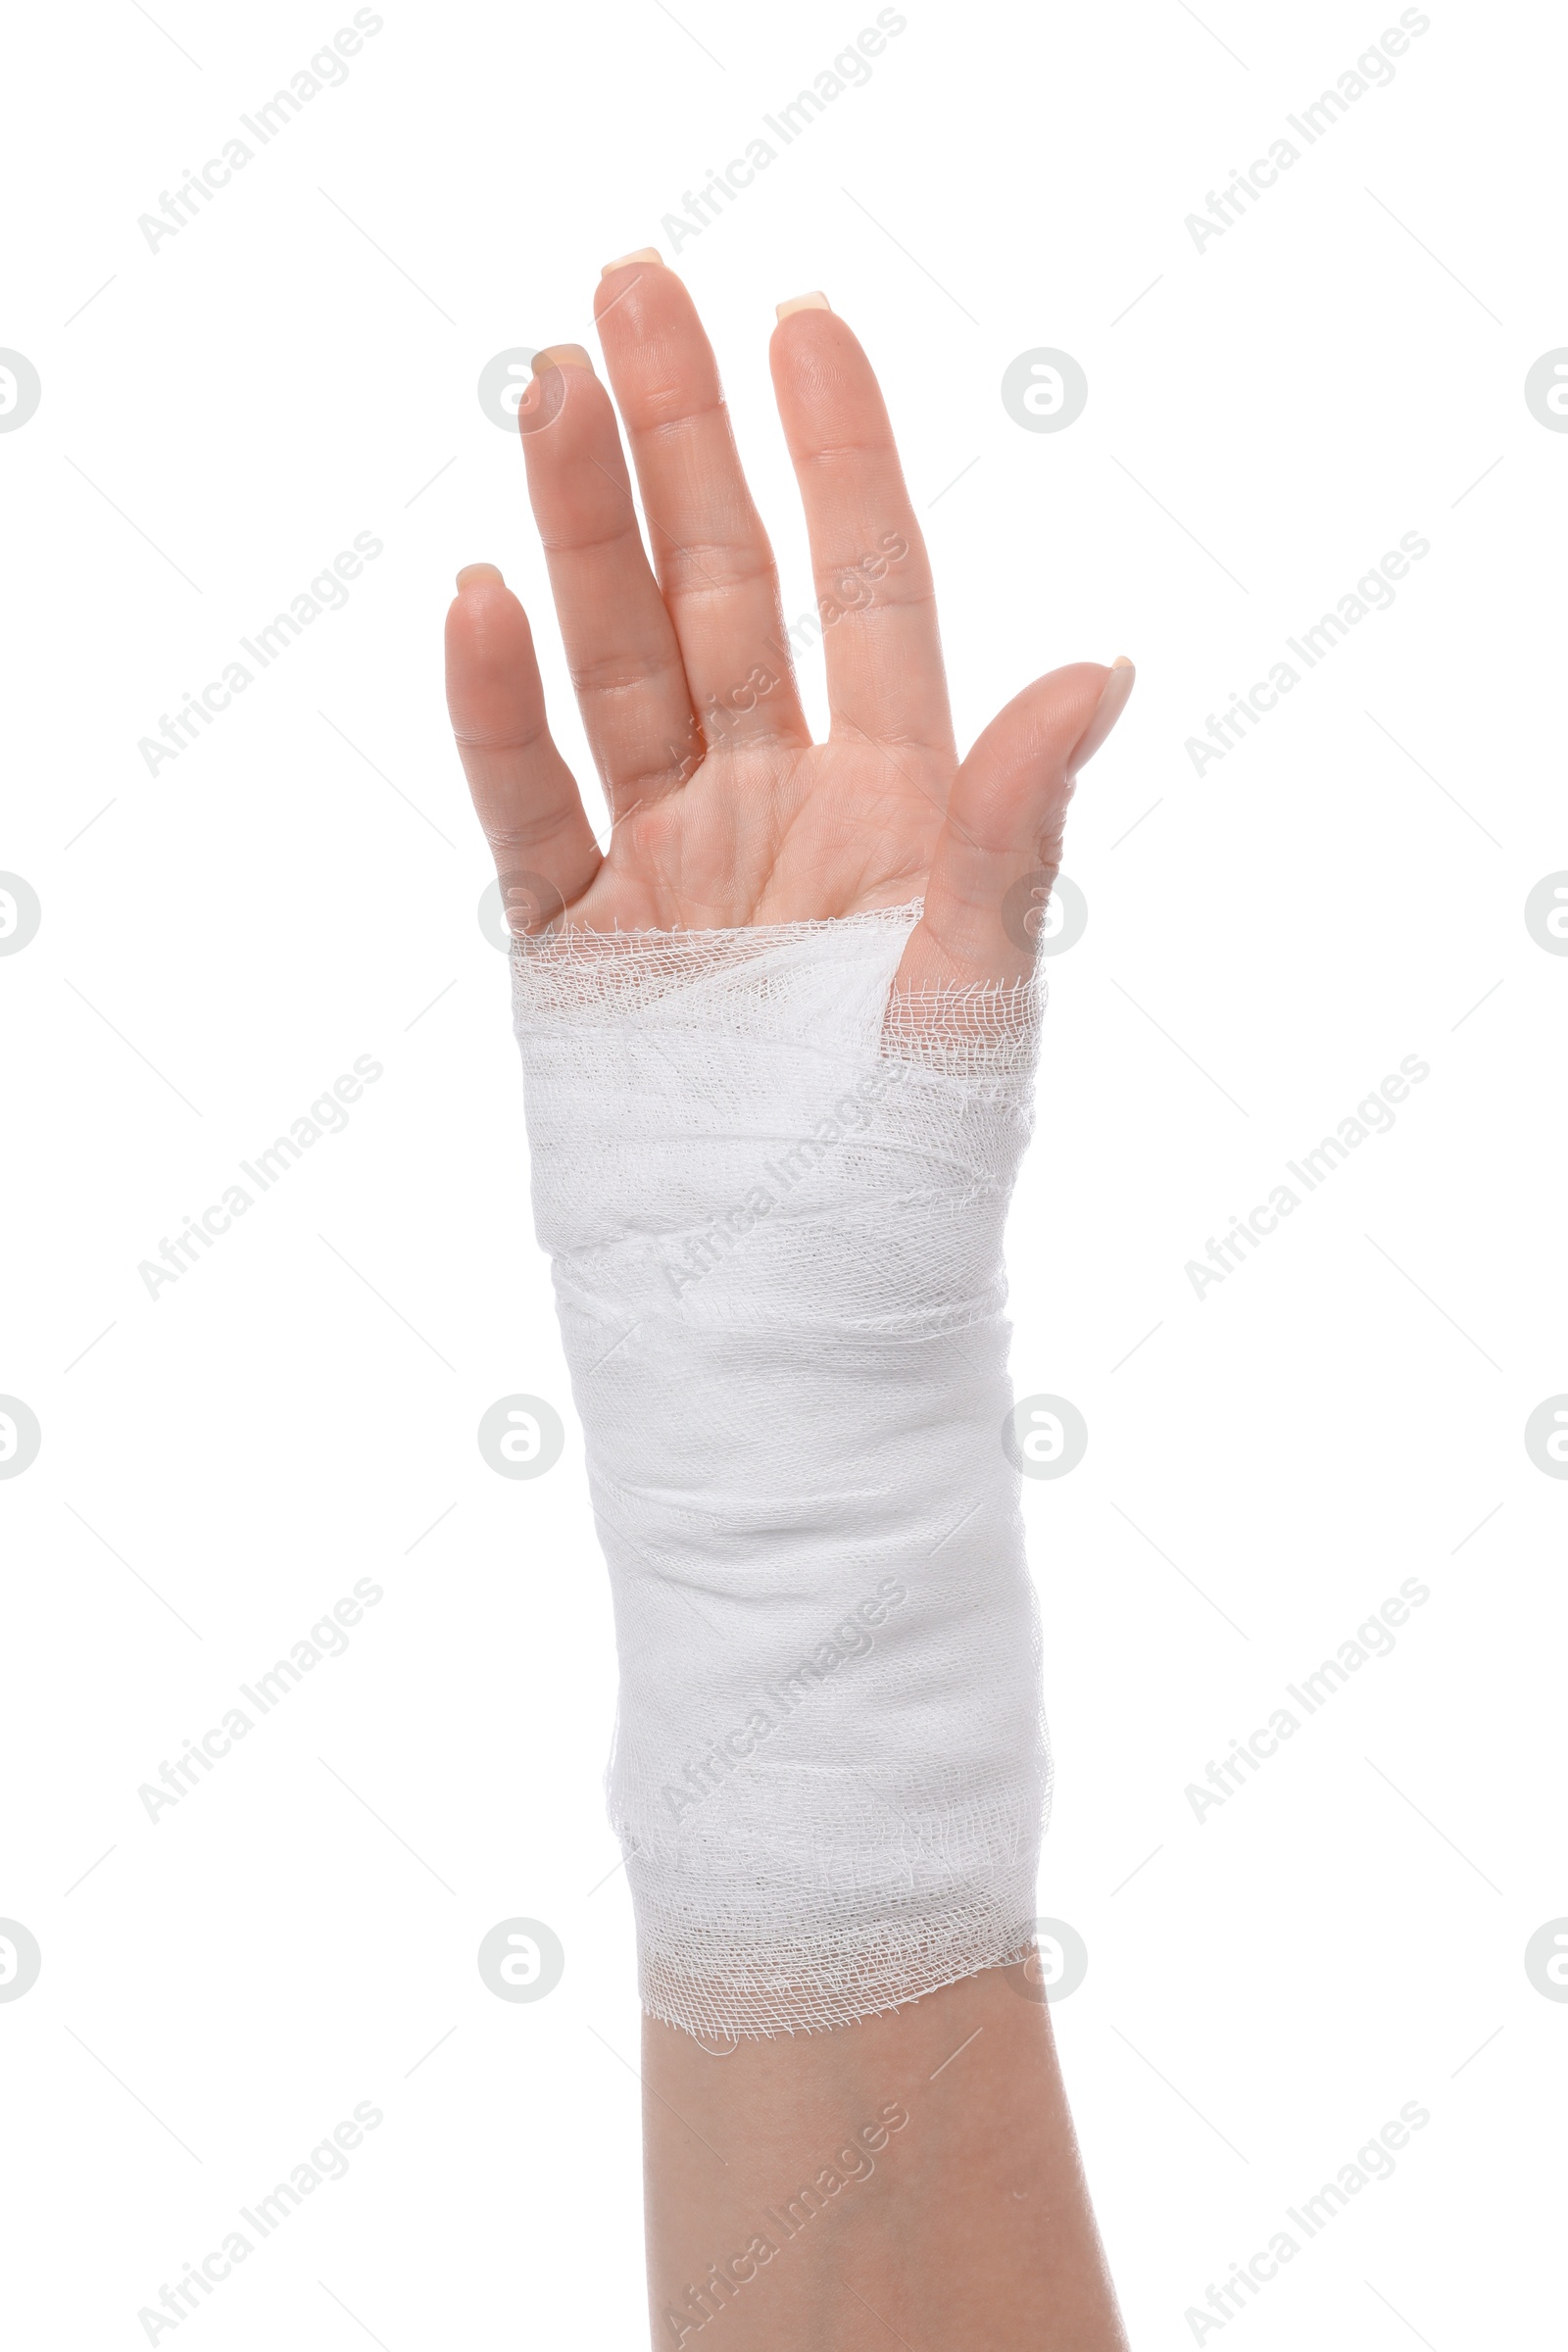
(723, 808)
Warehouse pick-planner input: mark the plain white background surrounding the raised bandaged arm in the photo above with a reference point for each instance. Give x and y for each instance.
(220, 1464)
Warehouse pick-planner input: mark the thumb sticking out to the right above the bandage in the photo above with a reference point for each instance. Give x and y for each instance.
(1003, 843)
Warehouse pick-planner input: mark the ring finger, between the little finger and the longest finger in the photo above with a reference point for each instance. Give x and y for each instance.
(619, 639)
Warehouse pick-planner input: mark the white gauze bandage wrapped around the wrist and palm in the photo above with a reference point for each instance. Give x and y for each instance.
(775, 1201)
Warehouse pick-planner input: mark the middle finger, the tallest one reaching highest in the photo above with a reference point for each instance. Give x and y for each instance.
(713, 559)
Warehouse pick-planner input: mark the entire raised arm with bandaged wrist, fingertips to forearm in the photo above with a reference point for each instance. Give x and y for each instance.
(852, 1953)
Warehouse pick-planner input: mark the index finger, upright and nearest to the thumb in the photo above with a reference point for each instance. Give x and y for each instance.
(873, 582)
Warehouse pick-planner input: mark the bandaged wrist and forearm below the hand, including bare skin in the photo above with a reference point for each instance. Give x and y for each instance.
(775, 1205)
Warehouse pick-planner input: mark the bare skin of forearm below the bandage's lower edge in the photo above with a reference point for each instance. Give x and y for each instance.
(906, 2179)
